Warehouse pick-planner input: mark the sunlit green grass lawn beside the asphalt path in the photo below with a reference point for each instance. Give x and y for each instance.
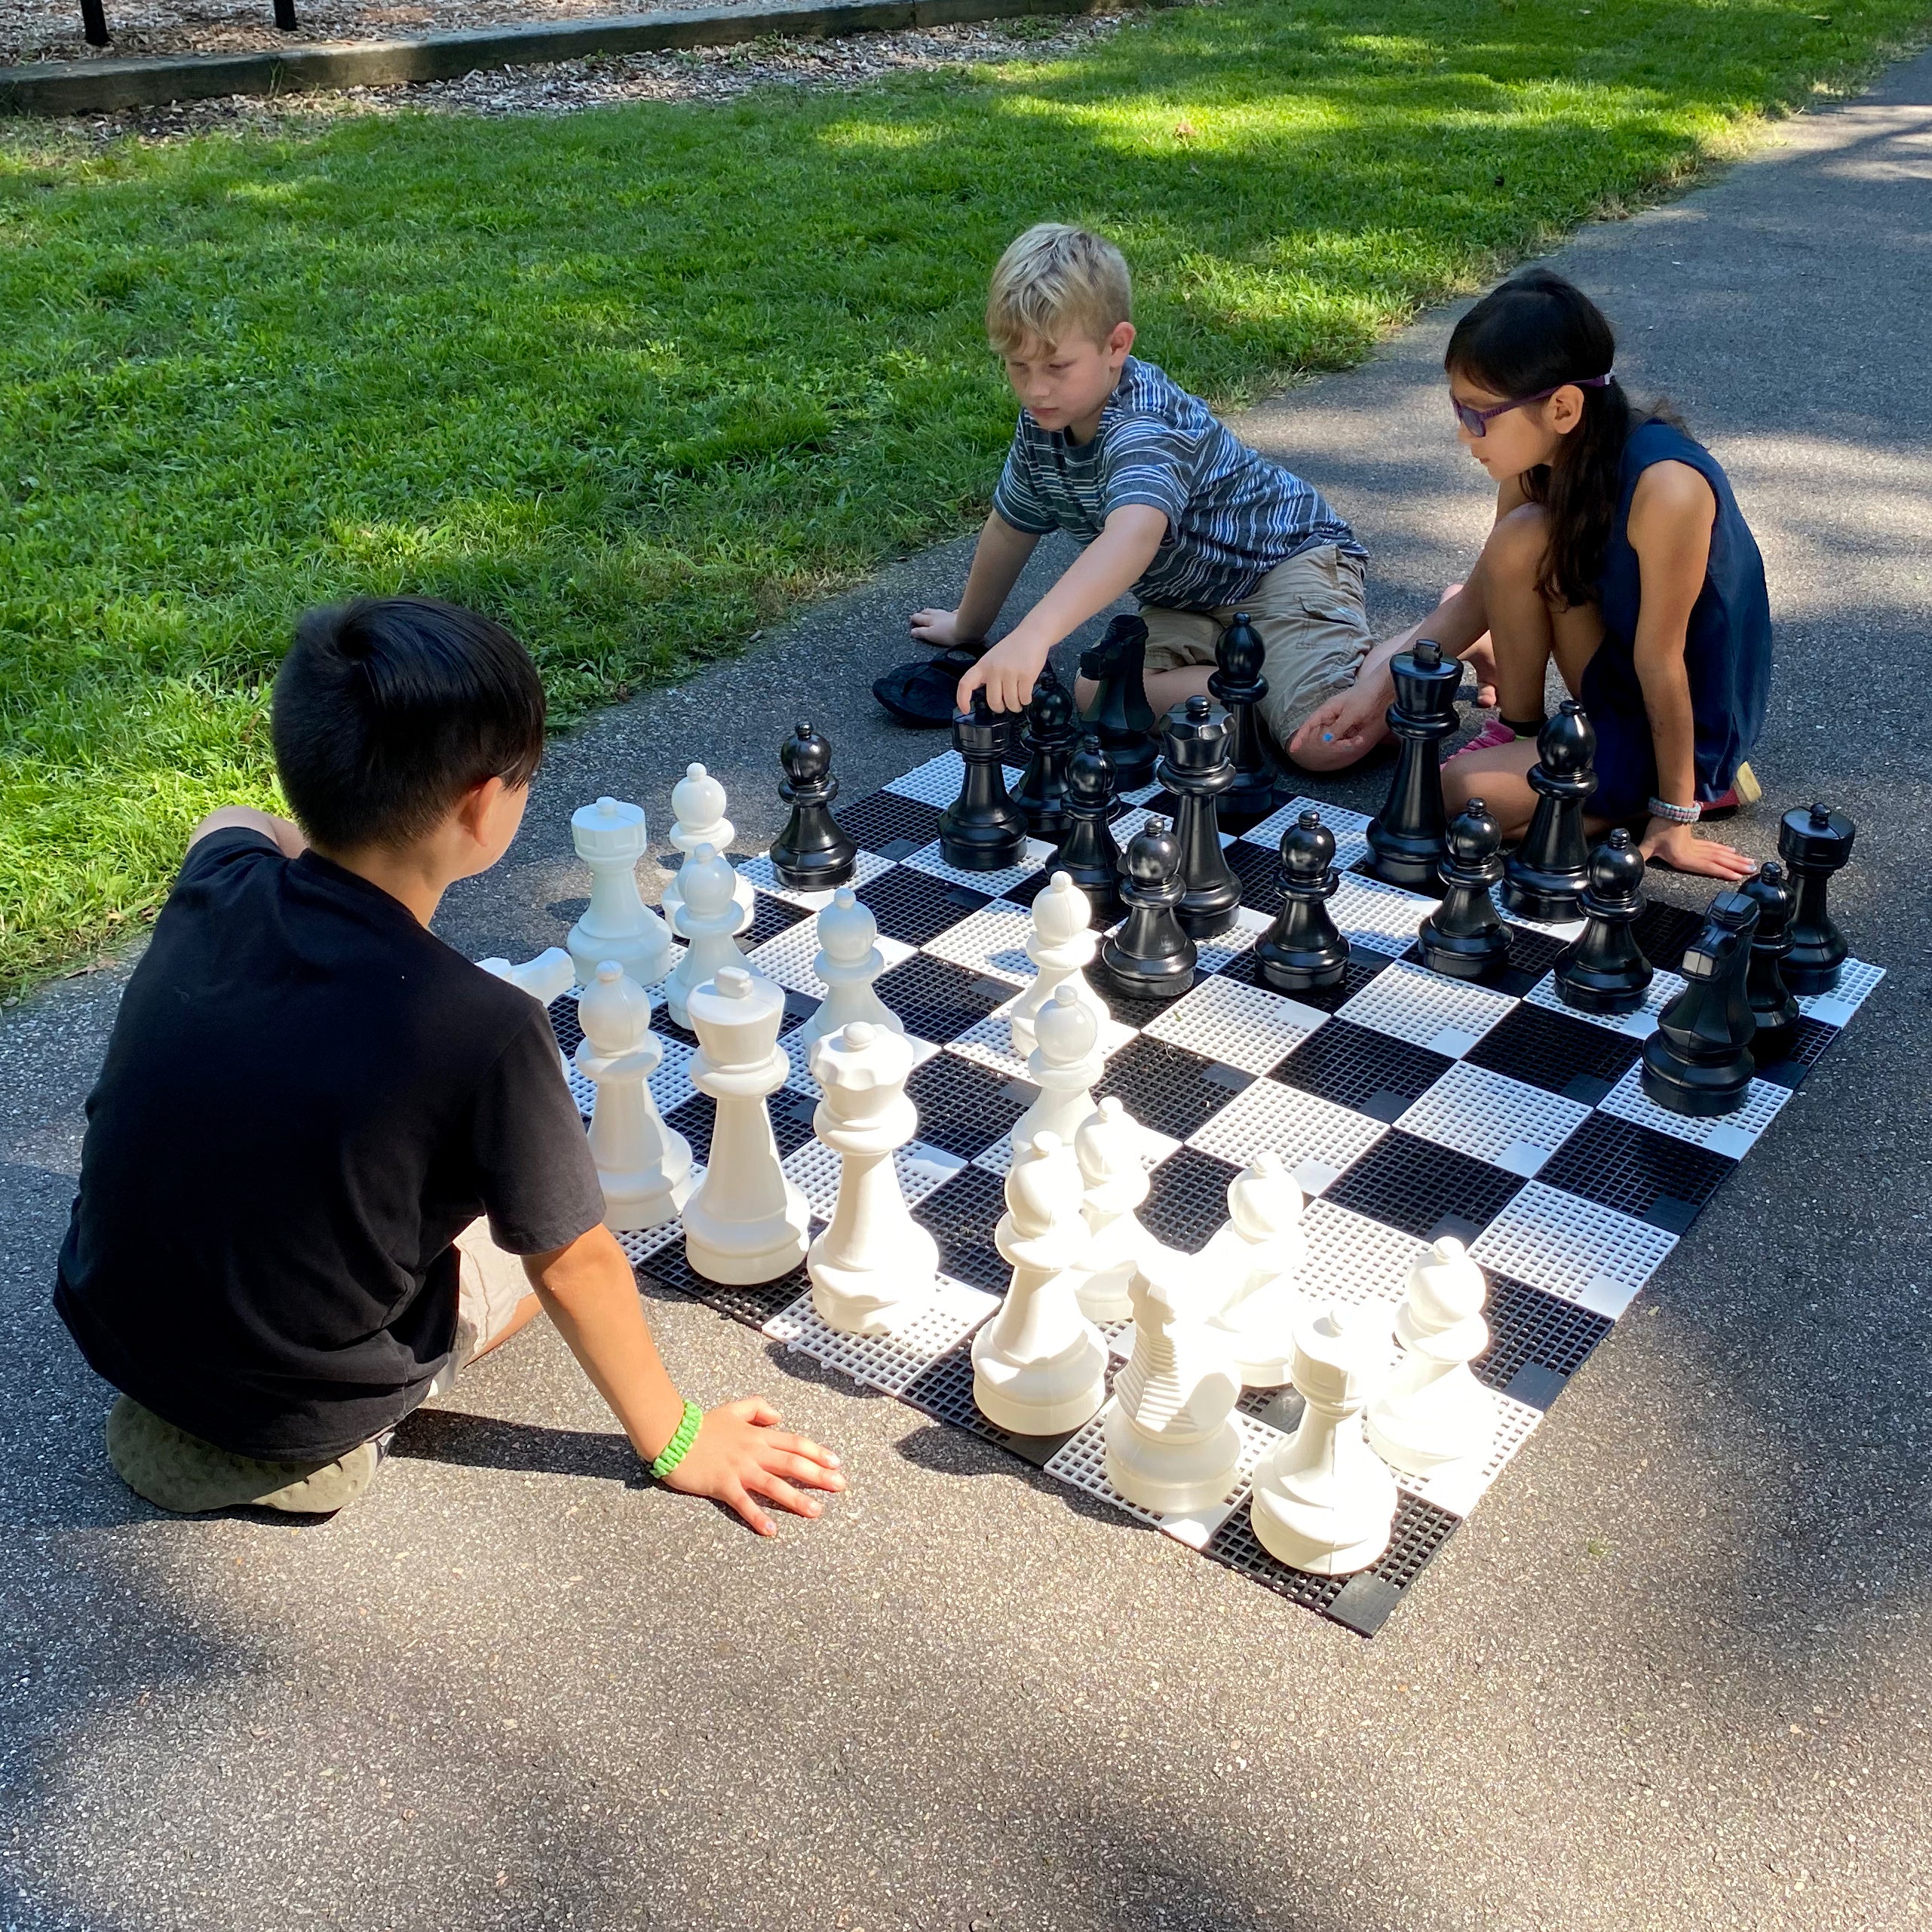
(642, 380)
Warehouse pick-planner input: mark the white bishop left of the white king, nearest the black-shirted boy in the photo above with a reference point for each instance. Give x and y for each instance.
(646, 1170)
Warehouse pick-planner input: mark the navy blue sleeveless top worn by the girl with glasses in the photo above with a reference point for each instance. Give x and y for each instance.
(1728, 644)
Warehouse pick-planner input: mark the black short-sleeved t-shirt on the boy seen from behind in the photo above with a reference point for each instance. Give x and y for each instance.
(306, 1098)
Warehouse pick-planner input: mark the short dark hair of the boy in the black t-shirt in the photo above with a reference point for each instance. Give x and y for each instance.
(387, 710)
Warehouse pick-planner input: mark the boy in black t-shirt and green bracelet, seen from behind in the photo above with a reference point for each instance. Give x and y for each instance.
(312, 1106)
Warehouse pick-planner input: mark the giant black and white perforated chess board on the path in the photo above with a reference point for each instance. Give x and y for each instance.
(1409, 1106)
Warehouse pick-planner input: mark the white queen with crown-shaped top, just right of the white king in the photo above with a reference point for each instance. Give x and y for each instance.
(874, 1270)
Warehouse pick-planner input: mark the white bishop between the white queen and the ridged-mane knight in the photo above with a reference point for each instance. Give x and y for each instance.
(1040, 1367)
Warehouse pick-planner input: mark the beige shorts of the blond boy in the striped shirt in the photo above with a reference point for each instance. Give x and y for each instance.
(1313, 623)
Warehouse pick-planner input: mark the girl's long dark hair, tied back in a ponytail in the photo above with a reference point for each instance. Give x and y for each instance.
(1537, 333)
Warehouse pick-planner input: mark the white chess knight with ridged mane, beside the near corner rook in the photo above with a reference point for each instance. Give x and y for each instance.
(1172, 1438)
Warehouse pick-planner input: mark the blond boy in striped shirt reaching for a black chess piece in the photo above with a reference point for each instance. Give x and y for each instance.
(1166, 501)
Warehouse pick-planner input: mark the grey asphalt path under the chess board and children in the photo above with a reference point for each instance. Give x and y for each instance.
(1674, 1672)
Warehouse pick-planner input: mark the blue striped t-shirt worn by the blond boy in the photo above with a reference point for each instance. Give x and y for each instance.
(1232, 513)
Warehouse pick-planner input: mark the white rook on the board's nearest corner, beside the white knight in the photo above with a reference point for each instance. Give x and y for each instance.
(1322, 1500)
